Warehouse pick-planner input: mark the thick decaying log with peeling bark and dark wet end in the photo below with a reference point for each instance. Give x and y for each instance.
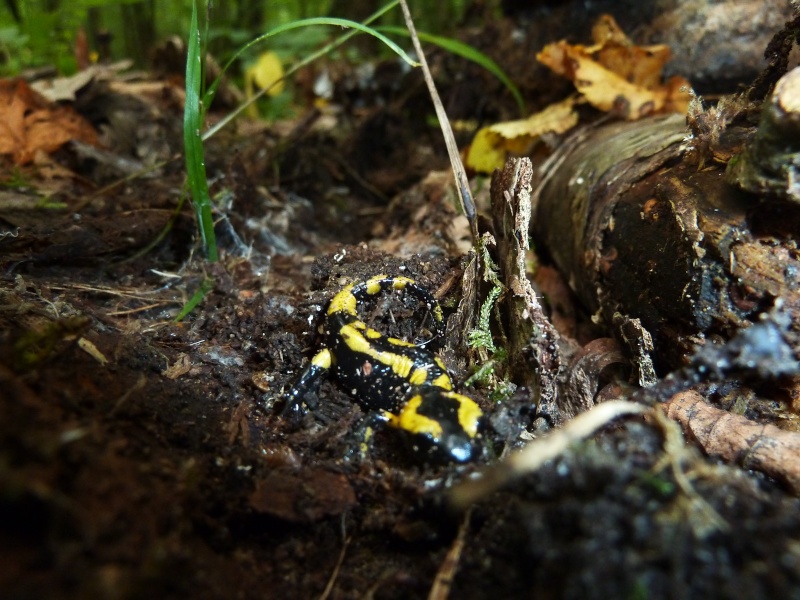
(639, 231)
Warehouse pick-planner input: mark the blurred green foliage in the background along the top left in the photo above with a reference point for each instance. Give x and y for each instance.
(45, 34)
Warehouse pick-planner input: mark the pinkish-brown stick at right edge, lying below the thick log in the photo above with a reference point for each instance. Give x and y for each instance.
(736, 439)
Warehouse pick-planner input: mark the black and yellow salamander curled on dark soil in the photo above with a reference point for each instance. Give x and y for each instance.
(407, 385)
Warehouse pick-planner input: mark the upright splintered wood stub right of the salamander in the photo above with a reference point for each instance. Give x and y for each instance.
(532, 340)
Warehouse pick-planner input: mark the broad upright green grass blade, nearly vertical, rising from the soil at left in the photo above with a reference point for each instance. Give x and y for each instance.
(193, 143)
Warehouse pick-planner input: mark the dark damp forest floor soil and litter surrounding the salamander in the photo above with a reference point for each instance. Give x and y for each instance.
(143, 457)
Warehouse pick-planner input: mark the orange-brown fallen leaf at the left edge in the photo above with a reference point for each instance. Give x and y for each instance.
(29, 123)
